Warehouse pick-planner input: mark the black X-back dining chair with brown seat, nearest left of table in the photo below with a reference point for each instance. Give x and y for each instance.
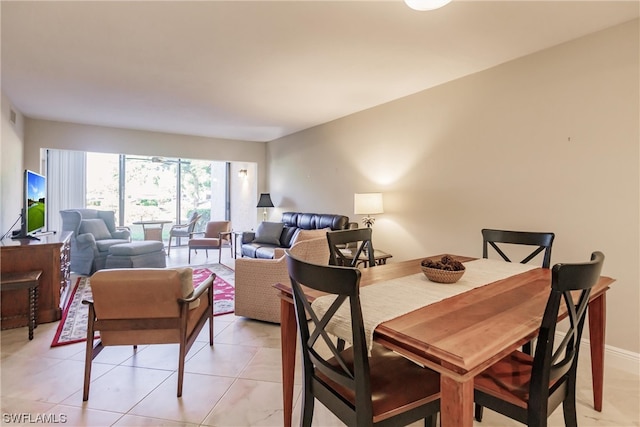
(380, 389)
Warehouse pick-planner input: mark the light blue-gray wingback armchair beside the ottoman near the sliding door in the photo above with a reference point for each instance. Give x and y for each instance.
(94, 232)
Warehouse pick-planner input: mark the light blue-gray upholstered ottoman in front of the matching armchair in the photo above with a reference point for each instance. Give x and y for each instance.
(147, 254)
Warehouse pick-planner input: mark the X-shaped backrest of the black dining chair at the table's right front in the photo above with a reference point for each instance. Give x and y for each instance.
(556, 363)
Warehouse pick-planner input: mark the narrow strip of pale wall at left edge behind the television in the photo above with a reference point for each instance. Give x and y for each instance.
(11, 166)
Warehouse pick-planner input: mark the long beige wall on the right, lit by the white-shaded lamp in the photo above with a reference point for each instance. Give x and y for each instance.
(548, 142)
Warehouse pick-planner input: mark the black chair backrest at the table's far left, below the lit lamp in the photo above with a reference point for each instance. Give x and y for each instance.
(346, 247)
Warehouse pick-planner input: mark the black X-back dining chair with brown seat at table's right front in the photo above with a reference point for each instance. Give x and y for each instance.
(528, 389)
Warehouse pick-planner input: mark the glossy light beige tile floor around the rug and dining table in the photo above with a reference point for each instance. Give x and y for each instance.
(235, 383)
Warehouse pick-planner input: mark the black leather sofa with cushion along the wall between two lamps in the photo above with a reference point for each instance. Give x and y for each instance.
(294, 227)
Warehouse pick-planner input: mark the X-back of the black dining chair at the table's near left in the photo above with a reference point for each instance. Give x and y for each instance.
(323, 364)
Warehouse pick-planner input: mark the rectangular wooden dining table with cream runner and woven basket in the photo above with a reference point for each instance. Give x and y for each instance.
(460, 336)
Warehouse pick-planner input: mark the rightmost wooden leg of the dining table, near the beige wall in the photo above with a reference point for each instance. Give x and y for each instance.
(597, 326)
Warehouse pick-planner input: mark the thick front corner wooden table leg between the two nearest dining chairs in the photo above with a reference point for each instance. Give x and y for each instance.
(456, 402)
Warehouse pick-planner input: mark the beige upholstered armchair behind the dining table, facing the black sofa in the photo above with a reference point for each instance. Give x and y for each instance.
(255, 296)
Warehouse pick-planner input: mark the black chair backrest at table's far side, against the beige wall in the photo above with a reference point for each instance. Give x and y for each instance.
(542, 240)
